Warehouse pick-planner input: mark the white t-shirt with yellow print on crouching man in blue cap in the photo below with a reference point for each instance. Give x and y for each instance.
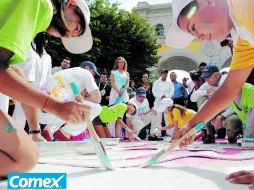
(59, 83)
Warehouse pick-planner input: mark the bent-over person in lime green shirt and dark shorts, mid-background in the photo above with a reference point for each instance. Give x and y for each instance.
(111, 114)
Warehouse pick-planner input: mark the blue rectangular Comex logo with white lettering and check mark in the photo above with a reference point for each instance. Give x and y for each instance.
(37, 181)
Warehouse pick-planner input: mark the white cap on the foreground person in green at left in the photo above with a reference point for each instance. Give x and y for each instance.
(83, 43)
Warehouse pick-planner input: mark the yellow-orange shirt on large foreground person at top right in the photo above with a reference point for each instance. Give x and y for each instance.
(242, 14)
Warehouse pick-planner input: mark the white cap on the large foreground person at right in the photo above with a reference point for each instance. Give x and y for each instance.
(176, 37)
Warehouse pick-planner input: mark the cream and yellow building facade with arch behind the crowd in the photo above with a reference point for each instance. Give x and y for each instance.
(187, 59)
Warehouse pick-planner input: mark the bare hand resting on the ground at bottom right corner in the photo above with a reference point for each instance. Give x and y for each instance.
(243, 177)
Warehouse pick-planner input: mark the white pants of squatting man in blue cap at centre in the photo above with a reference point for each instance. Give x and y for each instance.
(138, 124)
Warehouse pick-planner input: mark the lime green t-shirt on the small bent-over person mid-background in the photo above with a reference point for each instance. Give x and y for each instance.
(110, 114)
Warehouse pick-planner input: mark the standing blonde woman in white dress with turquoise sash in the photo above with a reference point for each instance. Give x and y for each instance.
(119, 82)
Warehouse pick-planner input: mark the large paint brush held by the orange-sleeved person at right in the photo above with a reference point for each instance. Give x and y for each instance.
(162, 153)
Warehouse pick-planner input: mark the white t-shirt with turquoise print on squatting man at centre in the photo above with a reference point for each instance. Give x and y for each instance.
(143, 108)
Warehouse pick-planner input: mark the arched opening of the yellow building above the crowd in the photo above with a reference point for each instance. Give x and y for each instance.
(180, 63)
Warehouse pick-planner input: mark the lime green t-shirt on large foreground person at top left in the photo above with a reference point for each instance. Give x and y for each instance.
(20, 21)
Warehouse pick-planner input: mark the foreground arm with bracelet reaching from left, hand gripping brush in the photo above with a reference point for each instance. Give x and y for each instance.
(18, 88)
